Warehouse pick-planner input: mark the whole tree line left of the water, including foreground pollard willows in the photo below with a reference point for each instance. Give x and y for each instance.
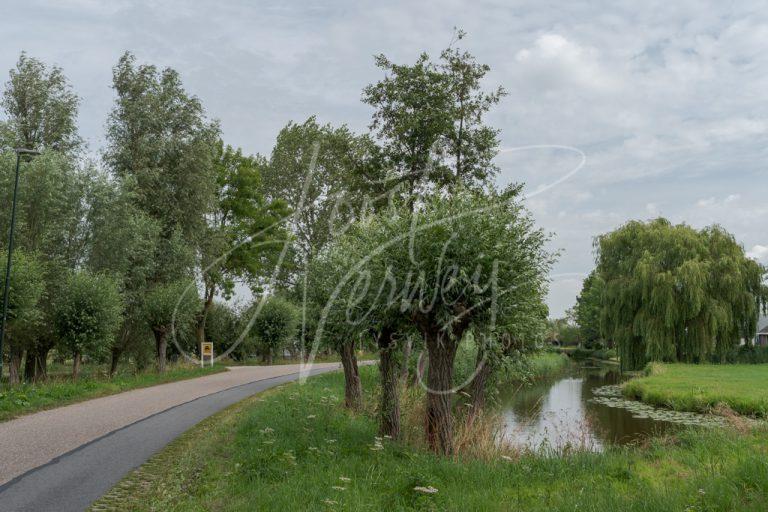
(395, 237)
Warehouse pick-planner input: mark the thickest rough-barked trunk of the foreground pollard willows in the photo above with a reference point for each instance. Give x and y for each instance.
(439, 418)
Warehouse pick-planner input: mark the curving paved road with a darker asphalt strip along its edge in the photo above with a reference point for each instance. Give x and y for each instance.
(95, 443)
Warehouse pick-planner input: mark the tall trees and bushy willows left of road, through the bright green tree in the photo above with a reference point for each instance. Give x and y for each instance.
(137, 246)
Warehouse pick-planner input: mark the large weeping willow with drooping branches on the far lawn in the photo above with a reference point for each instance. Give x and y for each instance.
(674, 293)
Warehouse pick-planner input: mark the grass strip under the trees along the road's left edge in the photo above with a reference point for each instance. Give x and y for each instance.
(27, 398)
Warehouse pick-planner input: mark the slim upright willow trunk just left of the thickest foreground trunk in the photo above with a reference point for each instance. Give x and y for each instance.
(389, 424)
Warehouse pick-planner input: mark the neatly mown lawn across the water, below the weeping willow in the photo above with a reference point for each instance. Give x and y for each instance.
(700, 388)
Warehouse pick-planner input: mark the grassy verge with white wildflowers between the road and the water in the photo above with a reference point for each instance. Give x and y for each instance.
(288, 449)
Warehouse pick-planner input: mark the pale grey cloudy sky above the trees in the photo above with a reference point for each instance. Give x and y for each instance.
(667, 101)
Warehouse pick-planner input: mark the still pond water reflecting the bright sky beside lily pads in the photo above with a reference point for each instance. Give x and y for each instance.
(559, 413)
